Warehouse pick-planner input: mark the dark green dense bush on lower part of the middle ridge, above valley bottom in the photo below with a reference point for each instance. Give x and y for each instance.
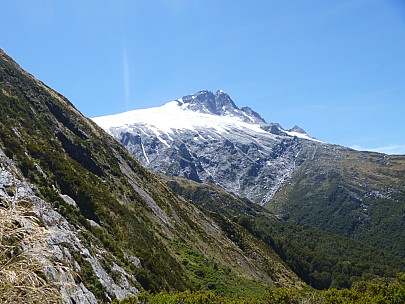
(321, 259)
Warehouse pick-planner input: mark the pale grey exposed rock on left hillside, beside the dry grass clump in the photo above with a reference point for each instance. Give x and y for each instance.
(63, 240)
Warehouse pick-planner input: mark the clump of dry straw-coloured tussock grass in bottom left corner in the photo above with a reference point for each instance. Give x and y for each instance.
(22, 249)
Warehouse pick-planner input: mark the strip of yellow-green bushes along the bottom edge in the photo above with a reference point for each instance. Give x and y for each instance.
(377, 291)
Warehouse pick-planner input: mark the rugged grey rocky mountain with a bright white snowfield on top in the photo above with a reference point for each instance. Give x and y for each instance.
(207, 138)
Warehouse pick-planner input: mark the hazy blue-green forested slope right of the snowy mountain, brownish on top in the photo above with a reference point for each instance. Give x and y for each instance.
(360, 195)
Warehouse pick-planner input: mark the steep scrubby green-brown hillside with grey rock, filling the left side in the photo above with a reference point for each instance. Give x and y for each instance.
(114, 225)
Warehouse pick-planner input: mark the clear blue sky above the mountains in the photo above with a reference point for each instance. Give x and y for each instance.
(336, 68)
